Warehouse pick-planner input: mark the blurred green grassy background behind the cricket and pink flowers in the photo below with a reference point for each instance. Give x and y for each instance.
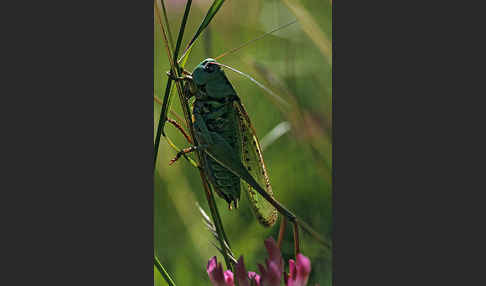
(295, 64)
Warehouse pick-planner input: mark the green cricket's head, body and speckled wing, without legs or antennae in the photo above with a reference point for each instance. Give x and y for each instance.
(222, 128)
